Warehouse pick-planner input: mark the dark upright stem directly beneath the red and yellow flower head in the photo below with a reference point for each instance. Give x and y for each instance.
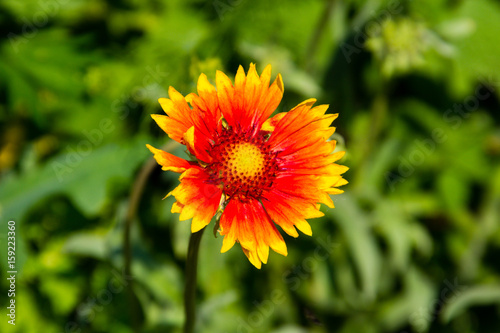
(190, 288)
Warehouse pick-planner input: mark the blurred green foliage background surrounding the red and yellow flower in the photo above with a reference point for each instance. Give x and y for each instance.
(413, 245)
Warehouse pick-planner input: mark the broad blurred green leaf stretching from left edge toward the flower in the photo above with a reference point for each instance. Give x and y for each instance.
(82, 178)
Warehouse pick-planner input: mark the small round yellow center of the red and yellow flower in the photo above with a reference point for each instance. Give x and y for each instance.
(245, 160)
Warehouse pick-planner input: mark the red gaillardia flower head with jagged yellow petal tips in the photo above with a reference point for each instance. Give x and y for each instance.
(252, 171)
